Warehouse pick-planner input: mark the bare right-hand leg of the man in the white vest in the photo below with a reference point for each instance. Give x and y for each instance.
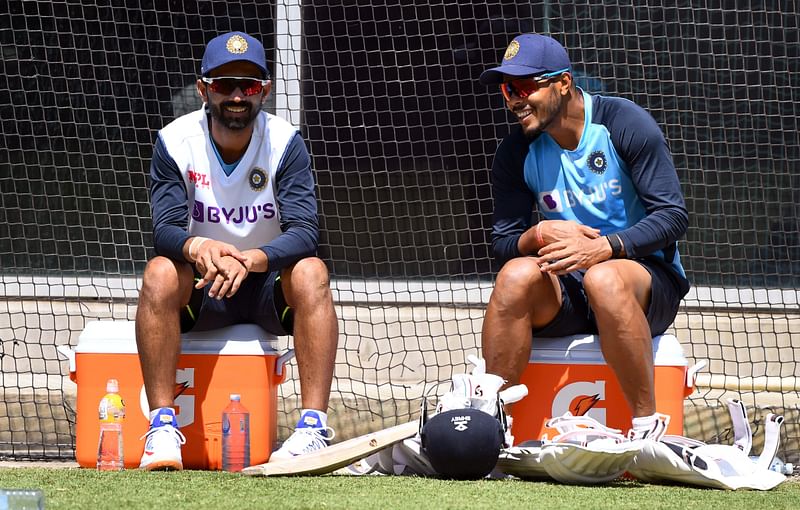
(306, 287)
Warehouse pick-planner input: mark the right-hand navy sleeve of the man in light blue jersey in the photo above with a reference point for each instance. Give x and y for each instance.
(640, 142)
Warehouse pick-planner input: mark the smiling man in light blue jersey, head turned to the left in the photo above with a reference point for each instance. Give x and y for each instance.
(604, 258)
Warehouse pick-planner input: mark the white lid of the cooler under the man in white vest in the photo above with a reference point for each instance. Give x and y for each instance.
(120, 337)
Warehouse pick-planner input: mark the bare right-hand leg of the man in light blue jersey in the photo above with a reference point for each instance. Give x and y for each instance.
(619, 293)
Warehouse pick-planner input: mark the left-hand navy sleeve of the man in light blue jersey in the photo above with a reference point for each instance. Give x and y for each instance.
(513, 200)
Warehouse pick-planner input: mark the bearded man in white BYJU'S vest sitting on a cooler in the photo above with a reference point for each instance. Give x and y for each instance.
(235, 231)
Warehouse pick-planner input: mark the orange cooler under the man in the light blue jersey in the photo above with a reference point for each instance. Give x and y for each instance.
(570, 374)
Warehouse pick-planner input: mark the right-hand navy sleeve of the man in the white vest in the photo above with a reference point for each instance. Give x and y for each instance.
(297, 204)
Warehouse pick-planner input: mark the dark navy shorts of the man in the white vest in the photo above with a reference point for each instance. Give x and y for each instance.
(259, 300)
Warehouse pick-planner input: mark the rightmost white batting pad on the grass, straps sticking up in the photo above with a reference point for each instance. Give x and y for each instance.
(684, 460)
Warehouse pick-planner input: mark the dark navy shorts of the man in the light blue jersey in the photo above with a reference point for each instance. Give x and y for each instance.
(576, 316)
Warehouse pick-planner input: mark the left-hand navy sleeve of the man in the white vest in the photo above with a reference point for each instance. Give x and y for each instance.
(169, 204)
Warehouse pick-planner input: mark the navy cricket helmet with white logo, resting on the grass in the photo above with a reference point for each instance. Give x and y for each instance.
(463, 444)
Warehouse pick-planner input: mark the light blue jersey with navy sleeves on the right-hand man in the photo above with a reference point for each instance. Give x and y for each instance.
(619, 179)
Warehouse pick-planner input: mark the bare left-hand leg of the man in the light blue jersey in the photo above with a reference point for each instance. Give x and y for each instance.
(523, 298)
